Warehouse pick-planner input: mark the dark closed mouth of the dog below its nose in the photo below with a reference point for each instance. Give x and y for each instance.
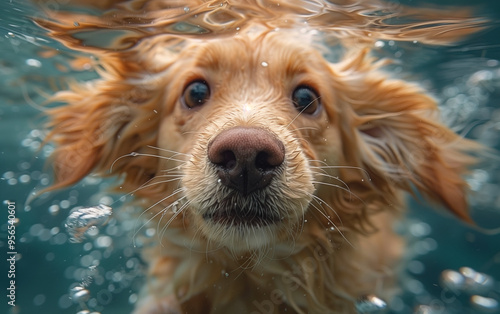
(242, 217)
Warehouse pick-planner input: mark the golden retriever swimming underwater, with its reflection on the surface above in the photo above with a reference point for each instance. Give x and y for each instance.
(273, 174)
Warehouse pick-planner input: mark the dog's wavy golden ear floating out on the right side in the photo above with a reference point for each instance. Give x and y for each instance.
(401, 140)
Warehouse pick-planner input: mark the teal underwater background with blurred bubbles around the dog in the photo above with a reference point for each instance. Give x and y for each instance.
(450, 268)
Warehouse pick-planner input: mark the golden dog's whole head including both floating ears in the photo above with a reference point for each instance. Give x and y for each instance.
(265, 138)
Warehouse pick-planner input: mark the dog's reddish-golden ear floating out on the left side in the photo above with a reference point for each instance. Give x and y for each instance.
(101, 123)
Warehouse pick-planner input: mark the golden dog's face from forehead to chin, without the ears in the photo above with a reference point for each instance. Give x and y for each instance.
(253, 126)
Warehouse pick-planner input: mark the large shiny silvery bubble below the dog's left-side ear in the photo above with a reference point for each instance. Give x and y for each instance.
(86, 220)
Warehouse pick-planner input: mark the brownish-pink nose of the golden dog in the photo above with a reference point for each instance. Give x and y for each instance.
(246, 158)
